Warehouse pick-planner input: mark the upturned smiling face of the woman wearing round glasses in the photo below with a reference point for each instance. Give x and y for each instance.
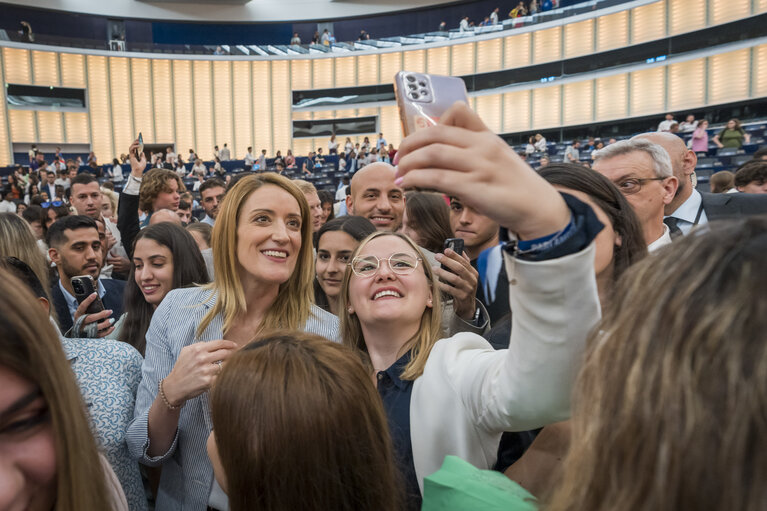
(388, 296)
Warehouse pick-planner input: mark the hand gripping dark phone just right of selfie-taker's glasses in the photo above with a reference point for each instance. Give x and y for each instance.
(460, 282)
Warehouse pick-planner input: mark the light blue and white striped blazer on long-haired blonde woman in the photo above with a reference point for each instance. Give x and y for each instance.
(187, 474)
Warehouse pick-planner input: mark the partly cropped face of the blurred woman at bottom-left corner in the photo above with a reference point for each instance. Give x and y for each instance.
(27, 446)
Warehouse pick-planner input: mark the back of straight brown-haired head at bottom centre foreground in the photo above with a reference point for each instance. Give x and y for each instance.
(293, 396)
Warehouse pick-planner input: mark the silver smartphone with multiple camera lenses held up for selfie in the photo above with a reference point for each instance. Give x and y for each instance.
(423, 98)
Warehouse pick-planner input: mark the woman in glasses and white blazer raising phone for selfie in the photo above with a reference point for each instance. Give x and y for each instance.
(457, 395)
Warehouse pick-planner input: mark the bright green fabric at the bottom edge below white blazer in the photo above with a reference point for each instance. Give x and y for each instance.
(458, 485)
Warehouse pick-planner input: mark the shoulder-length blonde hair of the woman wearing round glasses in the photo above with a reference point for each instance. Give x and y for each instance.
(429, 331)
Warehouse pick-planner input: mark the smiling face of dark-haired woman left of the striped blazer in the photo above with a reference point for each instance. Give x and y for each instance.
(153, 272)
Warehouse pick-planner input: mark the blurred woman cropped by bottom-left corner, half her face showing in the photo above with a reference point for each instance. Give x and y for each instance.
(49, 456)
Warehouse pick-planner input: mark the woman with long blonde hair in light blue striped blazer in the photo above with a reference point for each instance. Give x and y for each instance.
(262, 257)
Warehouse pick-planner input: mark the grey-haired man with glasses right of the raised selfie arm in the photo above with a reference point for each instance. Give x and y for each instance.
(642, 172)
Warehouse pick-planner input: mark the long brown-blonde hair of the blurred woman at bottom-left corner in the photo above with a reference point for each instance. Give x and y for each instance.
(30, 347)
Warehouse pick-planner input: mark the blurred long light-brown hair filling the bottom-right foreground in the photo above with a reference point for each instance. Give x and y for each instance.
(669, 407)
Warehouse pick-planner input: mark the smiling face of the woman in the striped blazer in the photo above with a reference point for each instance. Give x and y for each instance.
(269, 235)
